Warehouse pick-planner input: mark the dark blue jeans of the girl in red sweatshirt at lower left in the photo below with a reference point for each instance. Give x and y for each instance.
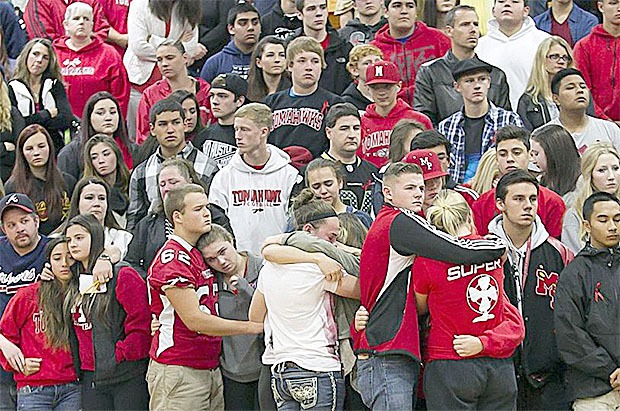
(50, 397)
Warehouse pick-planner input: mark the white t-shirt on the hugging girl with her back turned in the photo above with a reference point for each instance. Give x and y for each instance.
(300, 315)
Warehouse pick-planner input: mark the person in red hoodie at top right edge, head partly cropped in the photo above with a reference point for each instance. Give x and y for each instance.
(595, 56)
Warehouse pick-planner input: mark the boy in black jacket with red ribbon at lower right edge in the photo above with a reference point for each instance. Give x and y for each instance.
(586, 311)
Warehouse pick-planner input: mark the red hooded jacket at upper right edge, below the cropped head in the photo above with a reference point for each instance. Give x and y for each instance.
(596, 55)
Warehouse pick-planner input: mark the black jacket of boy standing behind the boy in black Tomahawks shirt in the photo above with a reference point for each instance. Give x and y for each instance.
(335, 77)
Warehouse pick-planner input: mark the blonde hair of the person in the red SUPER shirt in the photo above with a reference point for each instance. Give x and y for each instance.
(449, 212)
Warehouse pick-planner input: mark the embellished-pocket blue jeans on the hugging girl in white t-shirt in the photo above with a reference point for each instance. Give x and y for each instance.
(295, 388)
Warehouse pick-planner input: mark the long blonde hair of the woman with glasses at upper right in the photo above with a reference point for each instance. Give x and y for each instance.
(539, 85)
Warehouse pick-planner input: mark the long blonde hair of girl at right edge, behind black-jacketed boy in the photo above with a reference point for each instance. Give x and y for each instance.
(585, 187)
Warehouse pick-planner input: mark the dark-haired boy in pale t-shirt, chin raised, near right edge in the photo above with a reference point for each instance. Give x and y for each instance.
(571, 95)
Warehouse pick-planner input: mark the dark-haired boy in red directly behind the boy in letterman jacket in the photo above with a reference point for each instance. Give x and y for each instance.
(513, 147)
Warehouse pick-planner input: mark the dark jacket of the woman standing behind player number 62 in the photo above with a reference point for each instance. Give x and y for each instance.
(150, 234)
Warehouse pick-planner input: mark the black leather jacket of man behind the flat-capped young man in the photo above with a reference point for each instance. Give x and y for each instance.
(436, 97)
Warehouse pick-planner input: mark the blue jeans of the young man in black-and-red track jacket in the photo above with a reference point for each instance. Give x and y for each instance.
(388, 382)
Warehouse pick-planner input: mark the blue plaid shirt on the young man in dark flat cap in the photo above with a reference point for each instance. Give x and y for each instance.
(452, 128)
